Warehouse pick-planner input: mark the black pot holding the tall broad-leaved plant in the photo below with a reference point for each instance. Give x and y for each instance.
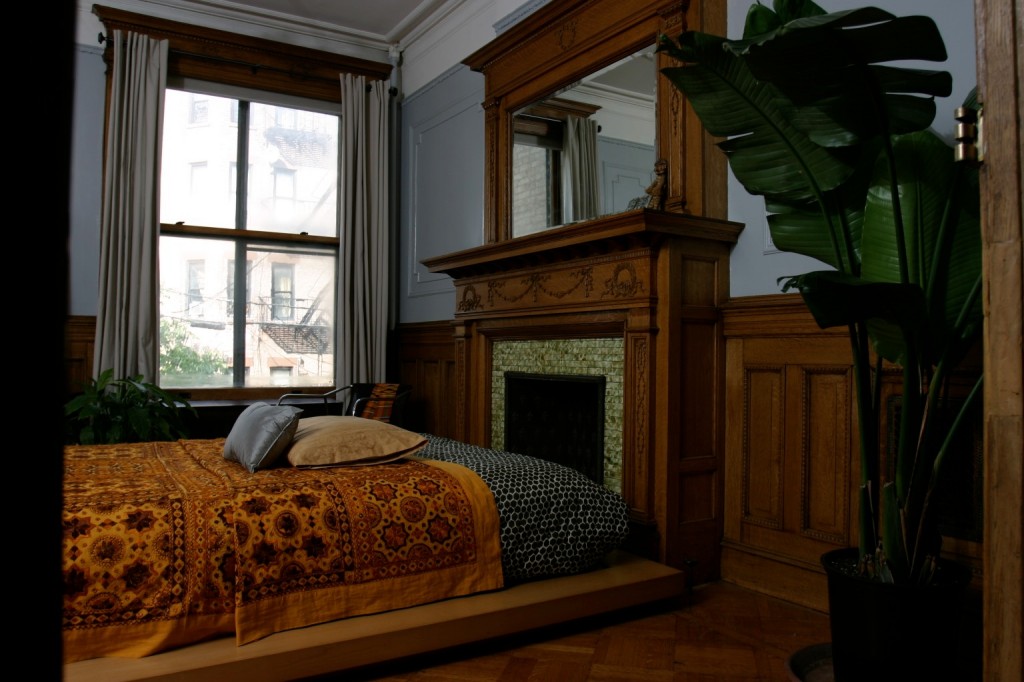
(883, 632)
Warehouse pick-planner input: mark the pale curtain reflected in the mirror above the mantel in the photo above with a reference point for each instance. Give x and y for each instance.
(581, 188)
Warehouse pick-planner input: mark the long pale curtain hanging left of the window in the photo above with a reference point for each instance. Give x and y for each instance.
(127, 319)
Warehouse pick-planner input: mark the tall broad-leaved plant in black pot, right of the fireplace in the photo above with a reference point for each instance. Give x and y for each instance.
(838, 143)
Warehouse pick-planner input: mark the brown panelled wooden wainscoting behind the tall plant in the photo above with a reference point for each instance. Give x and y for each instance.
(792, 452)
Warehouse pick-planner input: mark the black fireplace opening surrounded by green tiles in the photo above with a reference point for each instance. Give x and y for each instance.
(557, 417)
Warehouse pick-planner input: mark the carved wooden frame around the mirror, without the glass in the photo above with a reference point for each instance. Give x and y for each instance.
(560, 45)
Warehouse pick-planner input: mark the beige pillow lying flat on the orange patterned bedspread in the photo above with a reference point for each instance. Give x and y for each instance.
(331, 441)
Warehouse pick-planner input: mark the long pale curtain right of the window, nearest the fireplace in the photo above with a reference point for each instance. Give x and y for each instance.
(364, 261)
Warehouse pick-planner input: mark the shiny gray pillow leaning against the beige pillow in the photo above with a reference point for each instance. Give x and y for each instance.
(261, 435)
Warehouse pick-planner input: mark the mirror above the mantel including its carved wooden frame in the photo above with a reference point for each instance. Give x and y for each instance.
(599, 54)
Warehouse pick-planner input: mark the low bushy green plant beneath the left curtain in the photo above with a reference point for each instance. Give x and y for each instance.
(127, 410)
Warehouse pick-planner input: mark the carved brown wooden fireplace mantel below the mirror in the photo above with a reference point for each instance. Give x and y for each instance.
(656, 280)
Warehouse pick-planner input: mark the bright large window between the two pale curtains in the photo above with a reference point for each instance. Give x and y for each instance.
(270, 234)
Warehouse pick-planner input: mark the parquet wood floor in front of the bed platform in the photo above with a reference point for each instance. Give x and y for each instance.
(724, 634)
